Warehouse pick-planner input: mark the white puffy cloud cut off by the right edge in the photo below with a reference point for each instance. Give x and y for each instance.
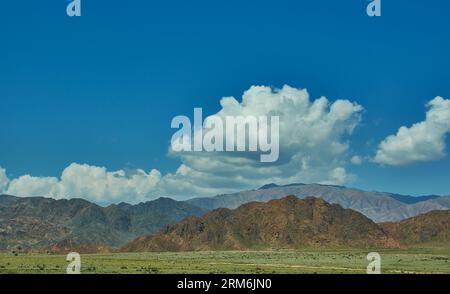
(424, 141)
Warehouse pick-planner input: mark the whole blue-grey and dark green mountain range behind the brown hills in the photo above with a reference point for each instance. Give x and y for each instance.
(37, 223)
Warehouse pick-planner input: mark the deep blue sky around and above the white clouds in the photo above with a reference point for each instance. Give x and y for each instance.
(102, 89)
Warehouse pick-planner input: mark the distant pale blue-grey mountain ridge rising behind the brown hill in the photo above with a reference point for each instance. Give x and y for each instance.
(378, 206)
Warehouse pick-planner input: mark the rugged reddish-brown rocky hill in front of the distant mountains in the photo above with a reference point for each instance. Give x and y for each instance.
(285, 223)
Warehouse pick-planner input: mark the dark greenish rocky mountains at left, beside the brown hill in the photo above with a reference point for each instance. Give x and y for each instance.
(36, 222)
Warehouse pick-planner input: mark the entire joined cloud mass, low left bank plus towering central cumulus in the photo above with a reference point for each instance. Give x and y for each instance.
(314, 145)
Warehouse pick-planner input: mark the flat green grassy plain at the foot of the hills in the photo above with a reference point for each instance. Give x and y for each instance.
(419, 260)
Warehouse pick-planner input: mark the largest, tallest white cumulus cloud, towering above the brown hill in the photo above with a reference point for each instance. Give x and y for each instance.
(314, 139)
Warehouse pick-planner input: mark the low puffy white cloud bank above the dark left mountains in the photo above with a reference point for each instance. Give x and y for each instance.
(90, 182)
